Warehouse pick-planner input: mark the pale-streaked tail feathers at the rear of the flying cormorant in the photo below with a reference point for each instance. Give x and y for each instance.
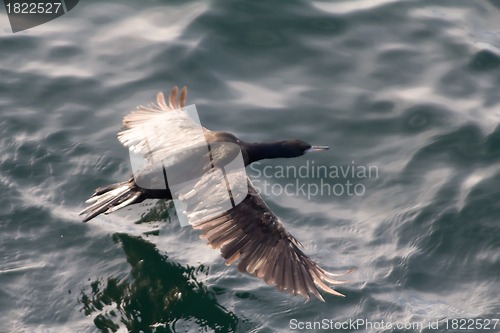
(110, 198)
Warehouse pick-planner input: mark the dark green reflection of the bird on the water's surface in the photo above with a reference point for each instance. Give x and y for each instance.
(160, 296)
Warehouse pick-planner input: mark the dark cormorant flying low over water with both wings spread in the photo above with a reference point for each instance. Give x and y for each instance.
(248, 231)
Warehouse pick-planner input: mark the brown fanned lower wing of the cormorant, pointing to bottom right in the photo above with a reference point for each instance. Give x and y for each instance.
(252, 233)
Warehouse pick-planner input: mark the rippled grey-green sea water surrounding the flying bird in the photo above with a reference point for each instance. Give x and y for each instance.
(408, 88)
